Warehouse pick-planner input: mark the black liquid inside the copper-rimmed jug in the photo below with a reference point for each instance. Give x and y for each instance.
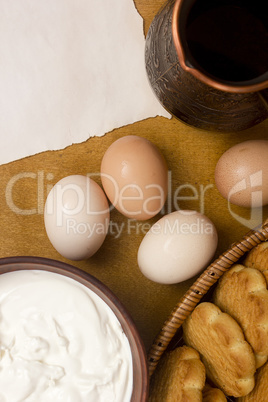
(229, 39)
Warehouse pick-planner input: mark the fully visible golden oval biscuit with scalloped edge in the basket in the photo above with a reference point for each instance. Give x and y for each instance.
(228, 358)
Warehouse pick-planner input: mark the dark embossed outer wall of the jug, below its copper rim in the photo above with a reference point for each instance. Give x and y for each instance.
(187, 98)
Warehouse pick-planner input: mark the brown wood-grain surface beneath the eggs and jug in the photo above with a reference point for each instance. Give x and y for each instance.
(191, 155)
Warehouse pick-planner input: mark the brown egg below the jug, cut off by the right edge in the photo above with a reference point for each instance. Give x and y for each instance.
(241, 174)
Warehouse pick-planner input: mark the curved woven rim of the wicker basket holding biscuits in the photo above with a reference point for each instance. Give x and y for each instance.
(198, 290)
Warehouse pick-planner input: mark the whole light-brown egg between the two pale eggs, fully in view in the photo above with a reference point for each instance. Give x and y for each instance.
(134, 176)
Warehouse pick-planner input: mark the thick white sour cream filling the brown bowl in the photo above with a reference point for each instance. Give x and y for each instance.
(59, 341)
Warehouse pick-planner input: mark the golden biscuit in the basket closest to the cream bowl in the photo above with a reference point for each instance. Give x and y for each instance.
(179, 377)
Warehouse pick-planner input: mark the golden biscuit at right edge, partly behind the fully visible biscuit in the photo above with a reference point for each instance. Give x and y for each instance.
(242, 293)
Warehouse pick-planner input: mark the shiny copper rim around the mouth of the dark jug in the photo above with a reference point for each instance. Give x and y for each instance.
(227, 86)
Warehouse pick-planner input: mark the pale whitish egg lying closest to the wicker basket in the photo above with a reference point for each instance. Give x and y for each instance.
(177, 247)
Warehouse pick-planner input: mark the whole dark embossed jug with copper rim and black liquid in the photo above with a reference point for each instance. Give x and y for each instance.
(207, 62)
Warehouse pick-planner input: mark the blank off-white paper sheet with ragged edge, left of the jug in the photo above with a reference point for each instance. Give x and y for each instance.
(69, 69)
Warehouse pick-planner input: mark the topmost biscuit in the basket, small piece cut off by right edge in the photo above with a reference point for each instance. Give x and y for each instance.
(258, 258)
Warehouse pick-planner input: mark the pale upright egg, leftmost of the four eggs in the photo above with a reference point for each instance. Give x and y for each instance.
(76, 217)
